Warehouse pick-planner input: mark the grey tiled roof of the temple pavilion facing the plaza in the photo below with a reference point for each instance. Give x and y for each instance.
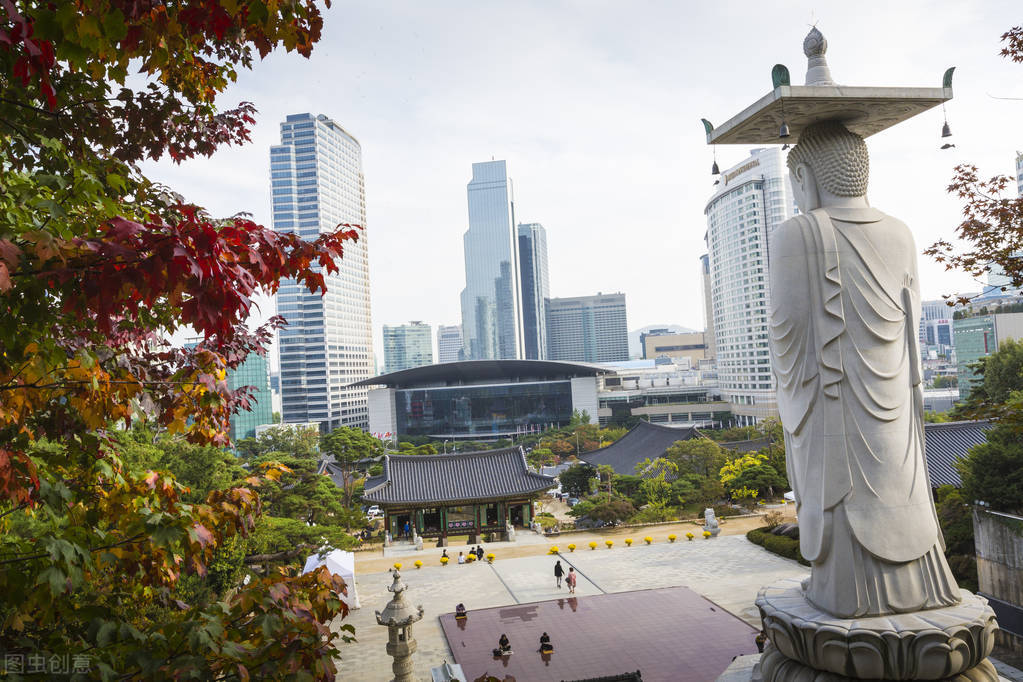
(466, 477)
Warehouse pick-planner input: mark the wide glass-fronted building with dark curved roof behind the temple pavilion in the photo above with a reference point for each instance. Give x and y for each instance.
(482, 399)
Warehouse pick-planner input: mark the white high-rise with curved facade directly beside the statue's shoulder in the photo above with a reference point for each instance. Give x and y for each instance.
(752, 199)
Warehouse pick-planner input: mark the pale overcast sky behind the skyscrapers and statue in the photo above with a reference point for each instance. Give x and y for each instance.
(597, 108)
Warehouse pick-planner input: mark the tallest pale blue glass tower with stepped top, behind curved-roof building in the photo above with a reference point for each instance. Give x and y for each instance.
(492, 315)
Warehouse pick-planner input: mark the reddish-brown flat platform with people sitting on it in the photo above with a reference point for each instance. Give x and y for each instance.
(670, 635)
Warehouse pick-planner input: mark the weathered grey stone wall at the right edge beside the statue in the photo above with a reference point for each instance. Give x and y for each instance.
(1000, 570)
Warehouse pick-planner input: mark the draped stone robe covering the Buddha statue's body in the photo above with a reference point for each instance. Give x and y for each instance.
(846, 309)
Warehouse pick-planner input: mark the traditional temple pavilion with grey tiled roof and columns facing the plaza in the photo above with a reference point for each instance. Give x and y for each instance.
(464, 494)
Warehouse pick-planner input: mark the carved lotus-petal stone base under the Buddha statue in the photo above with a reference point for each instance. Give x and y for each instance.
(810, 645)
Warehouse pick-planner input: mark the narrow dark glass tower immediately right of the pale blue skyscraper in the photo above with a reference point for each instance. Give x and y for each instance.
(536, 289)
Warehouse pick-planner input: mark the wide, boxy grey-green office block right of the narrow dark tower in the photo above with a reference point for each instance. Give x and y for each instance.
(589, 329)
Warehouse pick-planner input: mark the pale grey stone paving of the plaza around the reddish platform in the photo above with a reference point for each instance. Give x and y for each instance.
(728, 570)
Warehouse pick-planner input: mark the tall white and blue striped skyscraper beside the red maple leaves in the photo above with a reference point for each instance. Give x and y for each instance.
(318, 183)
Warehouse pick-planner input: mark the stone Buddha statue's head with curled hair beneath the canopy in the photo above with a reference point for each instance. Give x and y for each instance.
(829, 166)
